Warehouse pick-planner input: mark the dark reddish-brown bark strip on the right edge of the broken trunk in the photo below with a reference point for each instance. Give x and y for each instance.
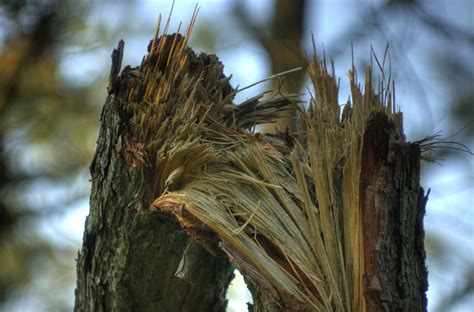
(393, 206)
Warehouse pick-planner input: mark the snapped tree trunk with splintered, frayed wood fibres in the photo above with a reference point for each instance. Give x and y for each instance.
(325, 219)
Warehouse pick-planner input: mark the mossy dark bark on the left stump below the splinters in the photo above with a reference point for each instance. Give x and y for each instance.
(130, 259)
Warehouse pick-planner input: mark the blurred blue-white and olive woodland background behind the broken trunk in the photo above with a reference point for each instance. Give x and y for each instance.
(54, 63)
